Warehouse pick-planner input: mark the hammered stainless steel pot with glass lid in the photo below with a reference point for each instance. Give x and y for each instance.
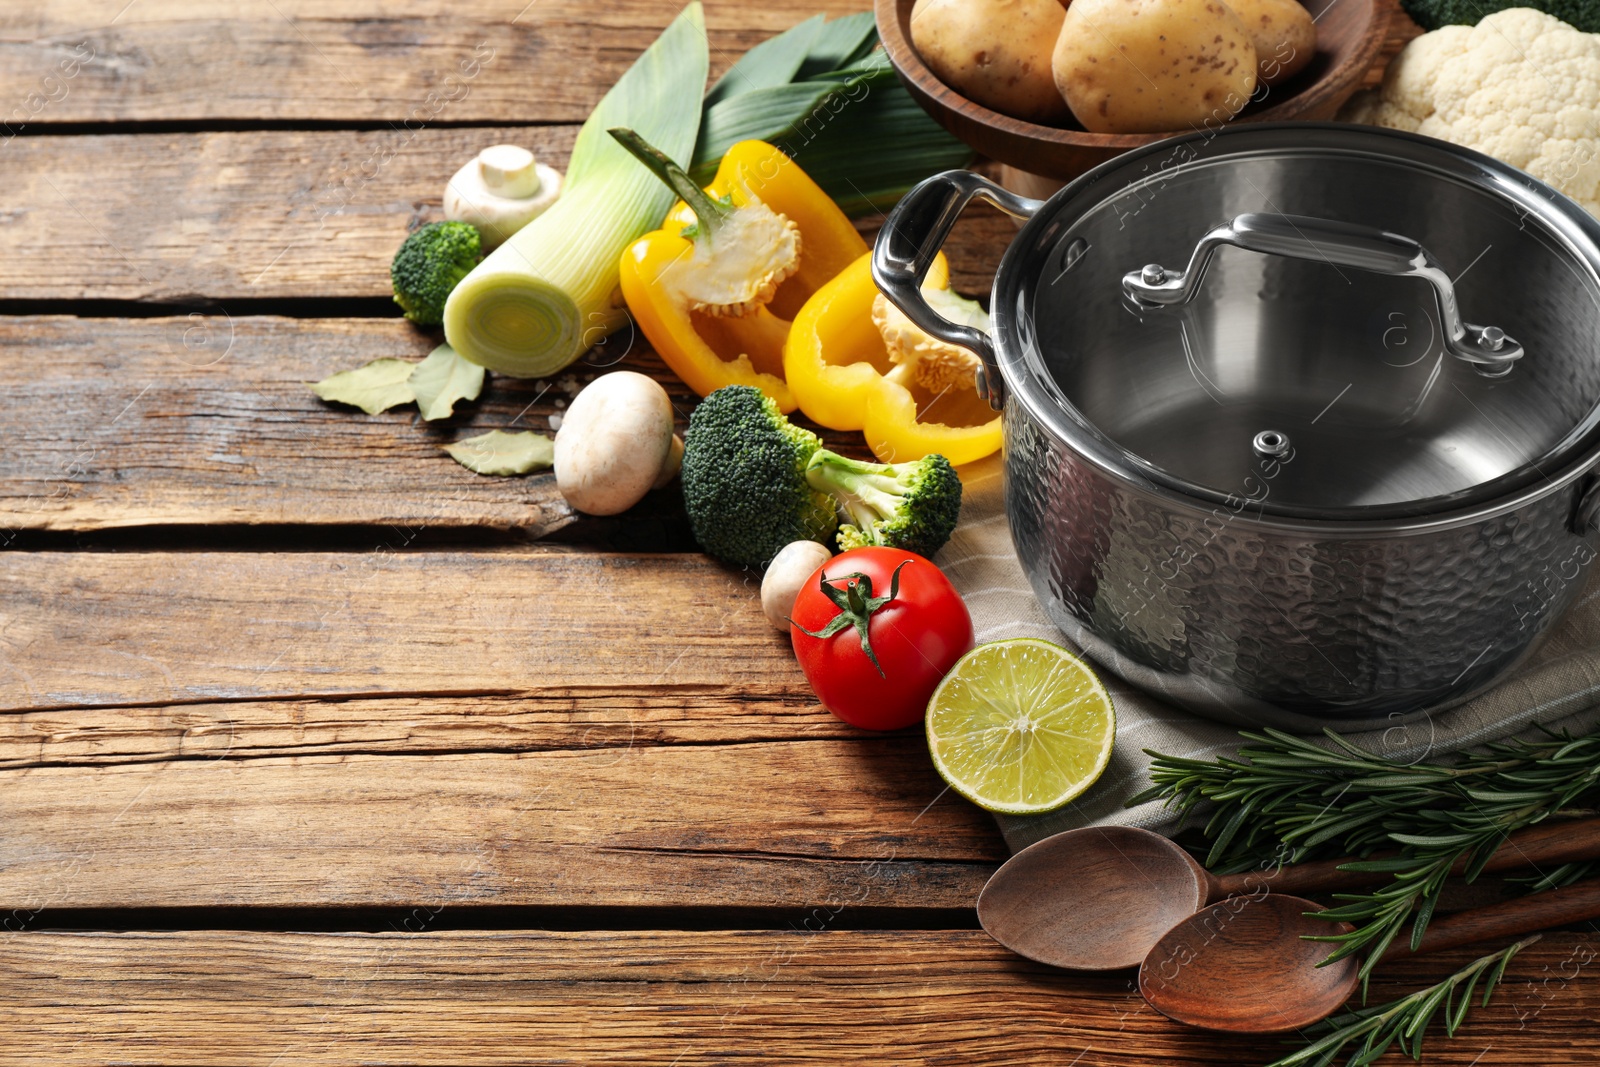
(1302, 420)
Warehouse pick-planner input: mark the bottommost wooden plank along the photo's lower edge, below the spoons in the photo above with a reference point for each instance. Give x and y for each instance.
(812, 996)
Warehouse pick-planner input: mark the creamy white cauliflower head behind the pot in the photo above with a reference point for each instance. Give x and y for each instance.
(1521, 86)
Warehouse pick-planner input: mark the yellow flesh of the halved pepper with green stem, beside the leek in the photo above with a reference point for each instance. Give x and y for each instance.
(711, 353)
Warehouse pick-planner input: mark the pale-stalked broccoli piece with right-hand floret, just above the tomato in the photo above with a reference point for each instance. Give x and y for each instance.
(906, 506)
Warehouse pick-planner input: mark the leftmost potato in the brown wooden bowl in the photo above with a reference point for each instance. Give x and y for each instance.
(994, 54)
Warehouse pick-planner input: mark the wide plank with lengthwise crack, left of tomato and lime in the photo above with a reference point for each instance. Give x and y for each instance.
(492, 729)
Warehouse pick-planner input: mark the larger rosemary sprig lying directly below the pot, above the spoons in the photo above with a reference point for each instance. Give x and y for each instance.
(1286, 797)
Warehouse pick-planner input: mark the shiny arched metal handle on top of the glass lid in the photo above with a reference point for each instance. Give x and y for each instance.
(1340, 244)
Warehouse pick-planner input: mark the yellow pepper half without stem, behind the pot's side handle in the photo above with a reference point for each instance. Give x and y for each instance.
(836, 364)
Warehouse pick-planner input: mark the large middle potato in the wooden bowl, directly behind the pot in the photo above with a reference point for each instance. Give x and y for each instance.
(1154, 66)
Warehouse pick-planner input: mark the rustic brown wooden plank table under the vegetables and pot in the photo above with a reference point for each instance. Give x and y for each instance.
(321, 749)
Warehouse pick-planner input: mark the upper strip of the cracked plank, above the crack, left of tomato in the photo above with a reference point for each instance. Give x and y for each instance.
(148, 628)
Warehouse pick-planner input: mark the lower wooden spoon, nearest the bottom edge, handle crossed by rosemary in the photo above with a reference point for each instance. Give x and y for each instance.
(1244, 967)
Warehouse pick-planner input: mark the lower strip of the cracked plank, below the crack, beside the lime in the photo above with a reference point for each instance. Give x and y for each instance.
(772, 825)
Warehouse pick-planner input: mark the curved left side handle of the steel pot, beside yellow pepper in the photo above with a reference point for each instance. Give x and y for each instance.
(908, 244)
